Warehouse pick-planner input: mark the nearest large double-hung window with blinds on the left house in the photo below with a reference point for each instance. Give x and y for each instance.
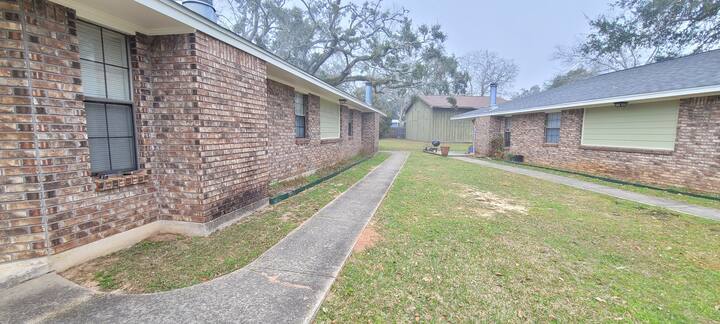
(105, 76)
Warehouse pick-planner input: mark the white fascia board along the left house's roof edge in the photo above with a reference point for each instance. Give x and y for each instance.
(180, 13)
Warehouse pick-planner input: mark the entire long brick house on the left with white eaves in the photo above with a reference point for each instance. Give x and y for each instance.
(124, 118)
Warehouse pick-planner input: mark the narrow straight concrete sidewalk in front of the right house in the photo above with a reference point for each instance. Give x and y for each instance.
(699, 211)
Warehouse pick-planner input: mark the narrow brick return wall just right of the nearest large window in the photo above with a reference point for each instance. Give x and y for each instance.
(170, 127)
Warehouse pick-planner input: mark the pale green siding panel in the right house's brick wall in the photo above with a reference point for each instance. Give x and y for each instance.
(641, 126)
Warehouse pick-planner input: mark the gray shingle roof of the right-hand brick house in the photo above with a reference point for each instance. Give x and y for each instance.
(692, 71)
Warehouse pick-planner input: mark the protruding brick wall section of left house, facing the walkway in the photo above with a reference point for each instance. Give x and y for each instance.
(232, 98)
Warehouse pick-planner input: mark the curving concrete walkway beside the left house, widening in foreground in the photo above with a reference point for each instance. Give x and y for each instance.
(286, 284)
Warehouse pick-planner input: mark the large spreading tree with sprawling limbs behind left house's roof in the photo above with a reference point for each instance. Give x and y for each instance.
(343, 42)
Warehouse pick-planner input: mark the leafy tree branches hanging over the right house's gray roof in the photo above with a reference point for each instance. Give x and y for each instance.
(647, 31)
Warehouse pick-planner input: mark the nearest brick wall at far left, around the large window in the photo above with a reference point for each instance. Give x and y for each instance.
(50, 202)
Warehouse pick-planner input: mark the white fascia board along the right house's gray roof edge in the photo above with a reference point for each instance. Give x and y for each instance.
(645, 97)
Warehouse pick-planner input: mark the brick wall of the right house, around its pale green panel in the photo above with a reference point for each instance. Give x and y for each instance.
(694, 164)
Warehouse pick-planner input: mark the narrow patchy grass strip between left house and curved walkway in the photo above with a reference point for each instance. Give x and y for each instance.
(168, 262)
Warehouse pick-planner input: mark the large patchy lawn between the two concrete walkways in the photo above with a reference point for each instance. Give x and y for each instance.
(463, 243)
